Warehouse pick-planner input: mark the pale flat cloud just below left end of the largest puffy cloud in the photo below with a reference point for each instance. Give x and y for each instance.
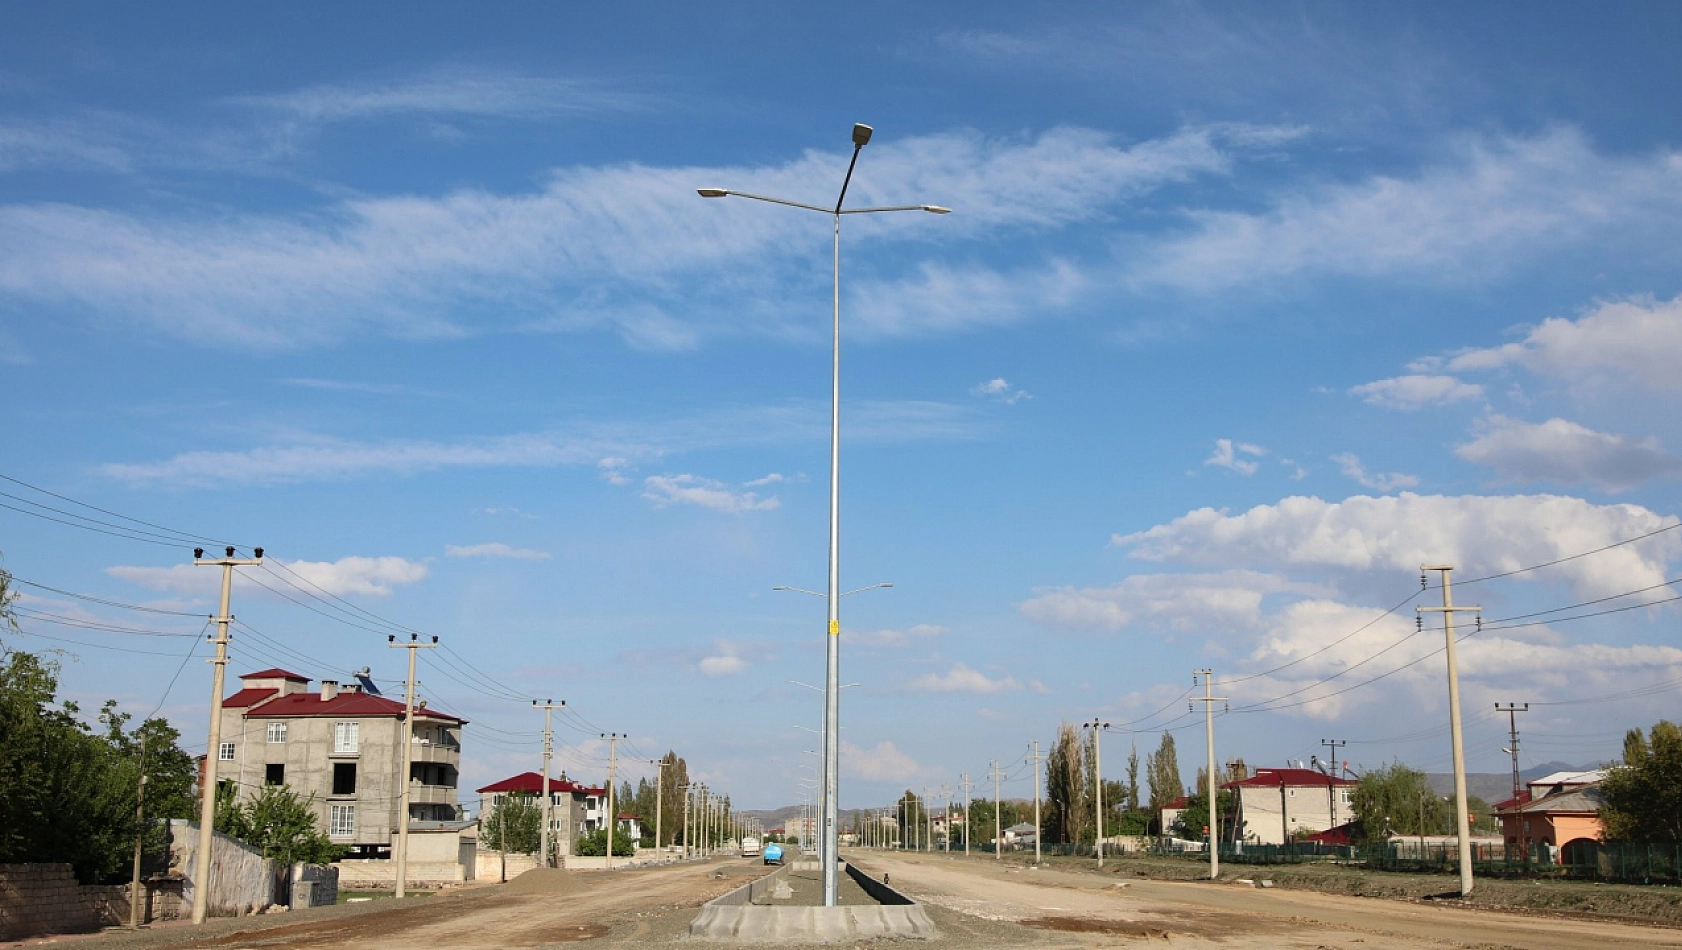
(1185, 603)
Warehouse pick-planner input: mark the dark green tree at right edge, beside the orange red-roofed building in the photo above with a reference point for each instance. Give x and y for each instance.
(1644, 794)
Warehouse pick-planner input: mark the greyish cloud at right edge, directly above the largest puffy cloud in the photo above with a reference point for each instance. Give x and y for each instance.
(1567, 453)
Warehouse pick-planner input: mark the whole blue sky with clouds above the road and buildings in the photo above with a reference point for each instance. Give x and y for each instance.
(1242, 315)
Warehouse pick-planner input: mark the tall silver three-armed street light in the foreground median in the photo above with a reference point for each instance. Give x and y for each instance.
(833, 694)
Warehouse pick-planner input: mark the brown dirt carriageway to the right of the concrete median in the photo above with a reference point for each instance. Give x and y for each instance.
(1092, 910)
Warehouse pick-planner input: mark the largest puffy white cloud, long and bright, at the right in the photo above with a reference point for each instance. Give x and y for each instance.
(1399, 534)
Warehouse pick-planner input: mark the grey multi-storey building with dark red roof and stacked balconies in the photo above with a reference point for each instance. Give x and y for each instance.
(342, 749)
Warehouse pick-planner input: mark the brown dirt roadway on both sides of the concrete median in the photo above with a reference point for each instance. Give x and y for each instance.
(976, 904)
